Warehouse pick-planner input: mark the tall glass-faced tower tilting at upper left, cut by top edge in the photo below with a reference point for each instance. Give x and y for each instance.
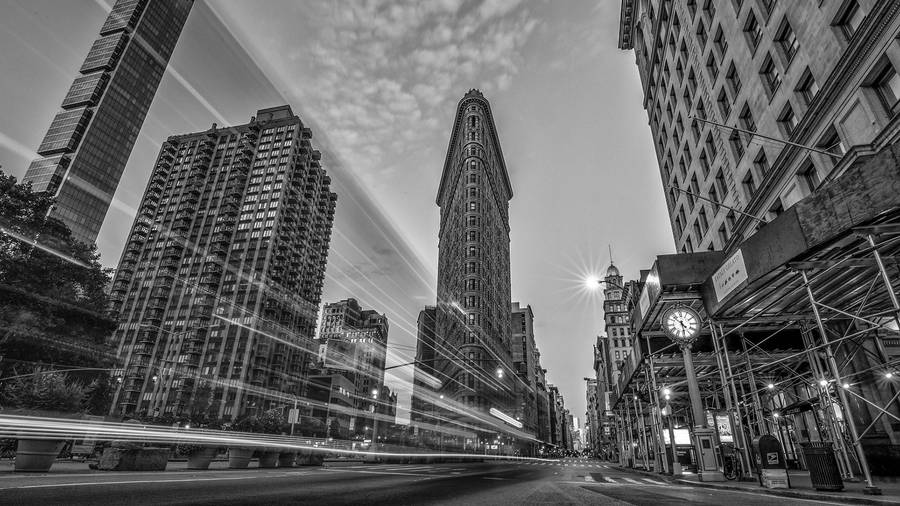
(88, 143)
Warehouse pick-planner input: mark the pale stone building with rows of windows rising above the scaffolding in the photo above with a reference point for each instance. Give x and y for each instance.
(753, 104)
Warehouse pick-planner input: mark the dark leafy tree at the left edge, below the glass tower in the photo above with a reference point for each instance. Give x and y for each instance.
(52, 294)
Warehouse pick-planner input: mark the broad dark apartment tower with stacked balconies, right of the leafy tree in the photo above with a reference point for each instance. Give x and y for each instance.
(218, 288)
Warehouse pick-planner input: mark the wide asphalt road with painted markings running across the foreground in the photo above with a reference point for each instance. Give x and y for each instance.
(571, 481)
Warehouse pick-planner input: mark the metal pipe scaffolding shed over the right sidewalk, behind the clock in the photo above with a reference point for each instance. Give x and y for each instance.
(805, 347)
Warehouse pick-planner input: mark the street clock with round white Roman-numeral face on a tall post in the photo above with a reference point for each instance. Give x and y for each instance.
(682, 326)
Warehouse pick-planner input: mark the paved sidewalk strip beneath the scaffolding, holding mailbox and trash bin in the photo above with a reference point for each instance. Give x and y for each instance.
(801, 487)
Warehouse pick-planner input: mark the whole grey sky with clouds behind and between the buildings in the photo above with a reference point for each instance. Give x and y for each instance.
(378, 82)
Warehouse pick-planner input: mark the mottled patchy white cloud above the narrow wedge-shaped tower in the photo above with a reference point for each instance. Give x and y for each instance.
(373, 72)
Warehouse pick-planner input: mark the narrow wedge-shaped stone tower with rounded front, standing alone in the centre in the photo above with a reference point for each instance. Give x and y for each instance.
(473, 310)
